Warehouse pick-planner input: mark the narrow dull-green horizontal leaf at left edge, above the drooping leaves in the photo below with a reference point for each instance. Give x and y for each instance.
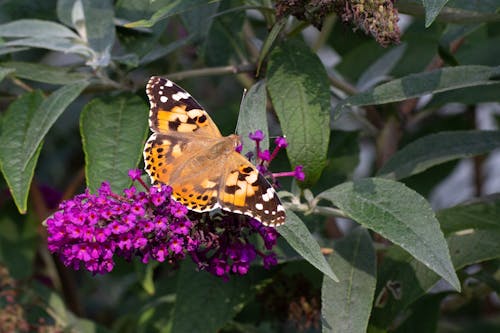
(44, 73)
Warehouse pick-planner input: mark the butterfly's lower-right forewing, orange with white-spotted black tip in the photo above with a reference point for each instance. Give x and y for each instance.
(244, 190)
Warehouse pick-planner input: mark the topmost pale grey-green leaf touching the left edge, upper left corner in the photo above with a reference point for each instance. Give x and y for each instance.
(36, 28)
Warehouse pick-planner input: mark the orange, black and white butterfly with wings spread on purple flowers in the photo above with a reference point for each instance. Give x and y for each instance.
(187, 152)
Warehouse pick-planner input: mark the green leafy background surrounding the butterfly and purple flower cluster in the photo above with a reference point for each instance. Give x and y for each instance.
(362, 249)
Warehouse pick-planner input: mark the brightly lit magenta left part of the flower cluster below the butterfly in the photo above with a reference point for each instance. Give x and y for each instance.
(90, 229)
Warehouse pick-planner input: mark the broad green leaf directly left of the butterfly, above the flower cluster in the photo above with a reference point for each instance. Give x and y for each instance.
(113, 134)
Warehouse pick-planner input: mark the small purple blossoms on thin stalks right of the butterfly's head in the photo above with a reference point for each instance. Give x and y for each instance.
(264, 157)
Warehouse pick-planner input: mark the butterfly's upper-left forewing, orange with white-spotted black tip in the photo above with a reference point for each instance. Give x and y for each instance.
(173, 110)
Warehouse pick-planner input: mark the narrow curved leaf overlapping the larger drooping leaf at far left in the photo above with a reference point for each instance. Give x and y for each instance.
(47, 114)
